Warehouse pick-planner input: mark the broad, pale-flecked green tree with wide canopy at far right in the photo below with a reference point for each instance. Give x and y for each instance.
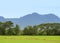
(49, 29)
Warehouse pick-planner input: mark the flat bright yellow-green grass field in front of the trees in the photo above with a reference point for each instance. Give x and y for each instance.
(29, 39)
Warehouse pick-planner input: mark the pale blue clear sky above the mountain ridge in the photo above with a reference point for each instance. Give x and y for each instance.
(20, 8)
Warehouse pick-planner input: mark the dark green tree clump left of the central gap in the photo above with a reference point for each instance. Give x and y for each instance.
(7, 28)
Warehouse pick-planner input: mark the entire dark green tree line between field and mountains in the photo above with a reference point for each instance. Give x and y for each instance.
(7, 28)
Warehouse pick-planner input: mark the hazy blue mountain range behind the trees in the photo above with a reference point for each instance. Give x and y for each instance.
(33, 19)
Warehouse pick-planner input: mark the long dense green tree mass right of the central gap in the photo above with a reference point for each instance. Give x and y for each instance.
(43, 29)
